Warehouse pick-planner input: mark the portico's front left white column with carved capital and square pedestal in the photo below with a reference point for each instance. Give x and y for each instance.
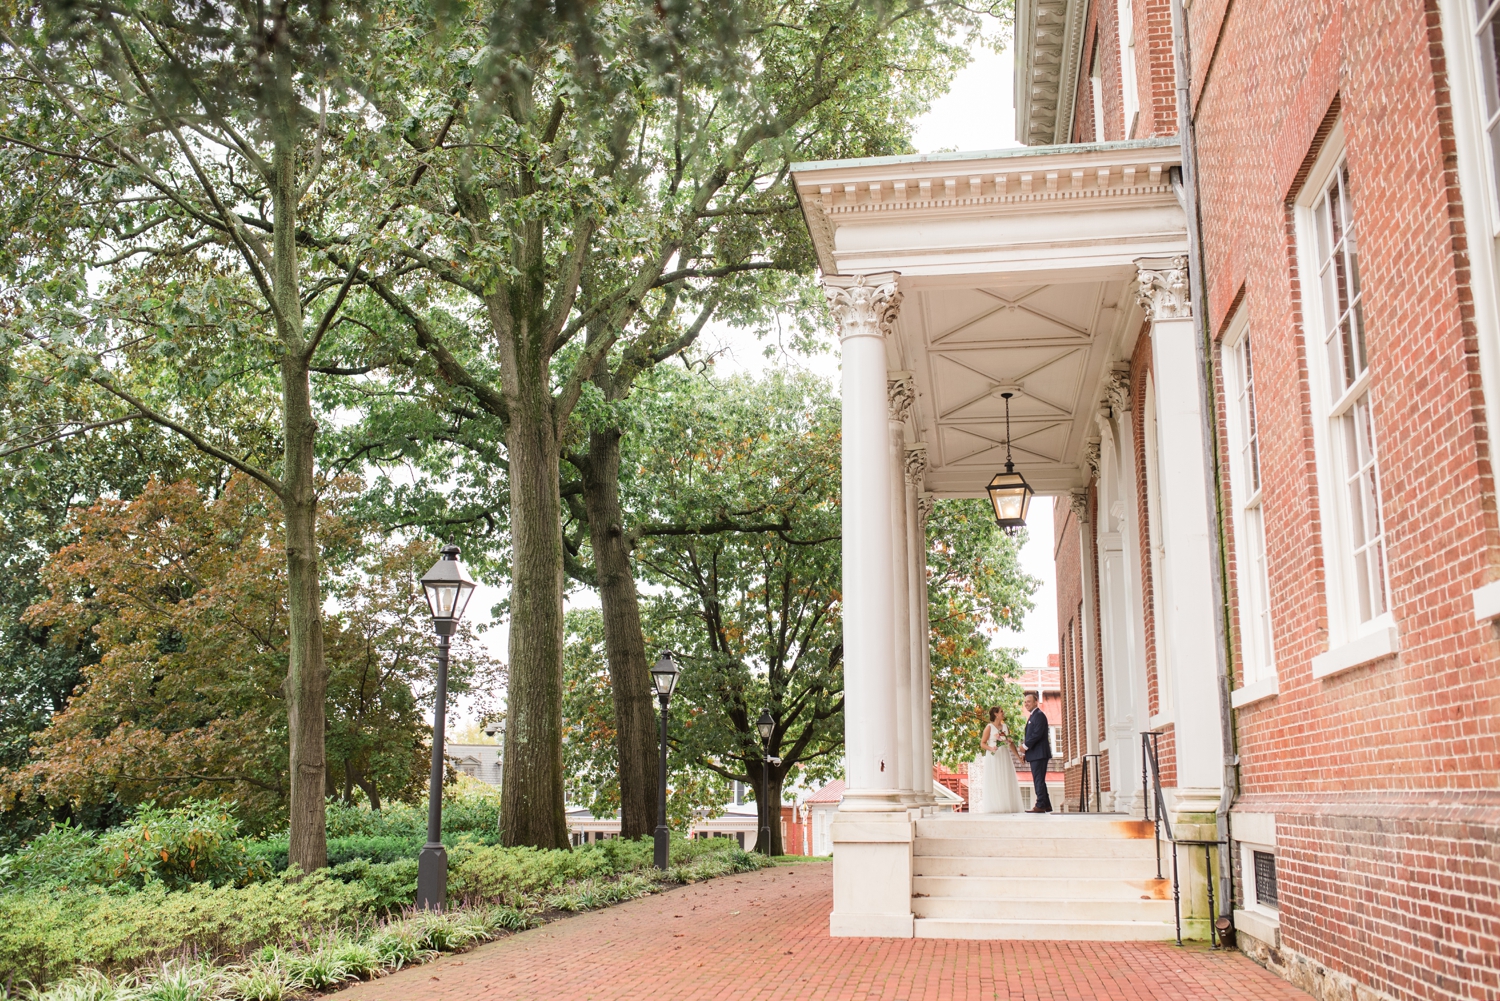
(872, 834)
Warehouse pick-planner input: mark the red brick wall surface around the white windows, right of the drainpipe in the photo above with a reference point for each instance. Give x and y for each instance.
(1385, 780)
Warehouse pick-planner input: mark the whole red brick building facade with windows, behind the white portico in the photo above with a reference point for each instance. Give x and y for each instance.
(1348, 184)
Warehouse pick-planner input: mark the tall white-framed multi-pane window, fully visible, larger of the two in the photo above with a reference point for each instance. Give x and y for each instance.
(1345, 430)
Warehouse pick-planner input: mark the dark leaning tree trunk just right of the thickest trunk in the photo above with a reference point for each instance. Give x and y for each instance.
(625, 646)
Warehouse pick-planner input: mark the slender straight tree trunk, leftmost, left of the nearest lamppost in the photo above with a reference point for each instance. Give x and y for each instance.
(307, 676)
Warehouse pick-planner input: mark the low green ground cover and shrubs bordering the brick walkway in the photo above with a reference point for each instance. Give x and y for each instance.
(179, 904)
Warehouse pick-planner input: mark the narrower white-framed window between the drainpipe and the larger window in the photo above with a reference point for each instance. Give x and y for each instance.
(1253, 579)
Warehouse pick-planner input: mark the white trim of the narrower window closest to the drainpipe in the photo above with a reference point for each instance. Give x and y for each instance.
(1261, 682)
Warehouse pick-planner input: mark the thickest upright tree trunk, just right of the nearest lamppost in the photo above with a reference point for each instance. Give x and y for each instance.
(532, 795)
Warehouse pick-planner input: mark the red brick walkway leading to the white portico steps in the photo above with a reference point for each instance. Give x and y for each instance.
(764, 937)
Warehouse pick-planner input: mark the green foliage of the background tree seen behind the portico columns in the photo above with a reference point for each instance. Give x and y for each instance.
(731, 490)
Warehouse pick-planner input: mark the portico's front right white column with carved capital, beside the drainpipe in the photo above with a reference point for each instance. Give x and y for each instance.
(1187, 535)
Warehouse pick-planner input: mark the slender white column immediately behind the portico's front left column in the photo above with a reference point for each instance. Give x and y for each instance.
(901, 394)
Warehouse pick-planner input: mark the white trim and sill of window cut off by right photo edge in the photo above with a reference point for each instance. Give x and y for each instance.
(1477, 181)
